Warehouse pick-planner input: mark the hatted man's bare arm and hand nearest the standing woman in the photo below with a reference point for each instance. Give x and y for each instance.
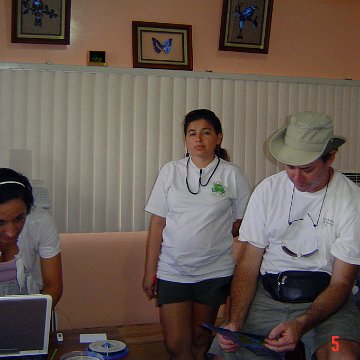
(243, 290)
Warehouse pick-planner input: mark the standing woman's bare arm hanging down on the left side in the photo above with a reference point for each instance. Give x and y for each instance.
(153, 246)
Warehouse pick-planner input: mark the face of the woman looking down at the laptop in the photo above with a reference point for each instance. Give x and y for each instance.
(12, 219)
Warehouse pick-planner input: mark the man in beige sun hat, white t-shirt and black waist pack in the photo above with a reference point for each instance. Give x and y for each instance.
(301, 234)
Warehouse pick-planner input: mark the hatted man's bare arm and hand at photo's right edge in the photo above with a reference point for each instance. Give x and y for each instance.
(285, 336)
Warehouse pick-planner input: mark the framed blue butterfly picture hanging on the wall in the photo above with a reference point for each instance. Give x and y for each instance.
(162, 46)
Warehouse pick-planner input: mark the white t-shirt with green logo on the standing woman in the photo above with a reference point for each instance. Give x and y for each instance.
(197, 239)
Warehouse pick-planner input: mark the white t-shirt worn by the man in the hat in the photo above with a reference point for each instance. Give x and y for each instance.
(337, 235)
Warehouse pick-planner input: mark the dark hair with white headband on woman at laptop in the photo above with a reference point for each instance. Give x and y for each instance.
(14, 185)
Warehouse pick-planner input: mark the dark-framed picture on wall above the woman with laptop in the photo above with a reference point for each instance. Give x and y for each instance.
(45, 23)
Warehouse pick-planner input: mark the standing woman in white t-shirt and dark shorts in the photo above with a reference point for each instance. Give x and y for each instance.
(197, 205)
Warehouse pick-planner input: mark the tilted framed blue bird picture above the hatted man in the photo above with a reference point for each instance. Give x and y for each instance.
(245, 25)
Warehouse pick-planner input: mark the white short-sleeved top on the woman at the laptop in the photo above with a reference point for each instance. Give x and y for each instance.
(39, 238)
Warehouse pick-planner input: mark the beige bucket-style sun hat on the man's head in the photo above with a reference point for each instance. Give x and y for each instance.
(308, 136)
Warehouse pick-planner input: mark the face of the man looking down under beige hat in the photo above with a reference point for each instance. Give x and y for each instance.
(312, 177)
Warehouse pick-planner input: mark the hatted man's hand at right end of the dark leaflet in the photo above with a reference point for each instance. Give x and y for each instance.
(285, 336)
